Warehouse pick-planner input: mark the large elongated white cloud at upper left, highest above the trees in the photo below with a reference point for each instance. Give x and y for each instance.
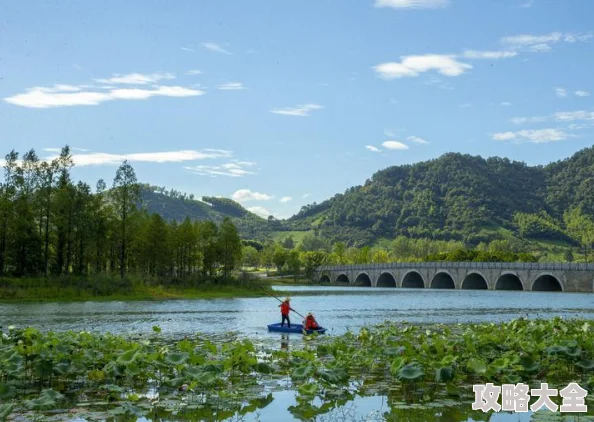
(69, 95)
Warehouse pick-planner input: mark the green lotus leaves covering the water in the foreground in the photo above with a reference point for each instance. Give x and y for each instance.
(418, 368)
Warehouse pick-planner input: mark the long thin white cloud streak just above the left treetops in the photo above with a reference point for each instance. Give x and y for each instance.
(101, 158)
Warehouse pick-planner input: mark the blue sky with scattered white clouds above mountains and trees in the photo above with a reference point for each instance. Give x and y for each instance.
(279, 104)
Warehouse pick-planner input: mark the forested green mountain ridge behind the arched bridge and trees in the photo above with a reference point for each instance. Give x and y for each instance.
(453, 197)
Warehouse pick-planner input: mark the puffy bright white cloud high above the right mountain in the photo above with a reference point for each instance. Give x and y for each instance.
(412, 66)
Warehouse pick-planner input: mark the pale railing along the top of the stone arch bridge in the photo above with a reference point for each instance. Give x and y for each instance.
(546, 266)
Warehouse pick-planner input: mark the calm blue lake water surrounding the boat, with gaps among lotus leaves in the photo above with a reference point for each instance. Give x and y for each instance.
(337, 308)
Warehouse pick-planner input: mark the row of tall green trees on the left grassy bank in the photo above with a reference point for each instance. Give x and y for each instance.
(52, 226)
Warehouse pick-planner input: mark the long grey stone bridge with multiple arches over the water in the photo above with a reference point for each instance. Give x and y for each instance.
(464, 275)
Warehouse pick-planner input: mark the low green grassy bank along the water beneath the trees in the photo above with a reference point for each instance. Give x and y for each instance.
(70, 289)
